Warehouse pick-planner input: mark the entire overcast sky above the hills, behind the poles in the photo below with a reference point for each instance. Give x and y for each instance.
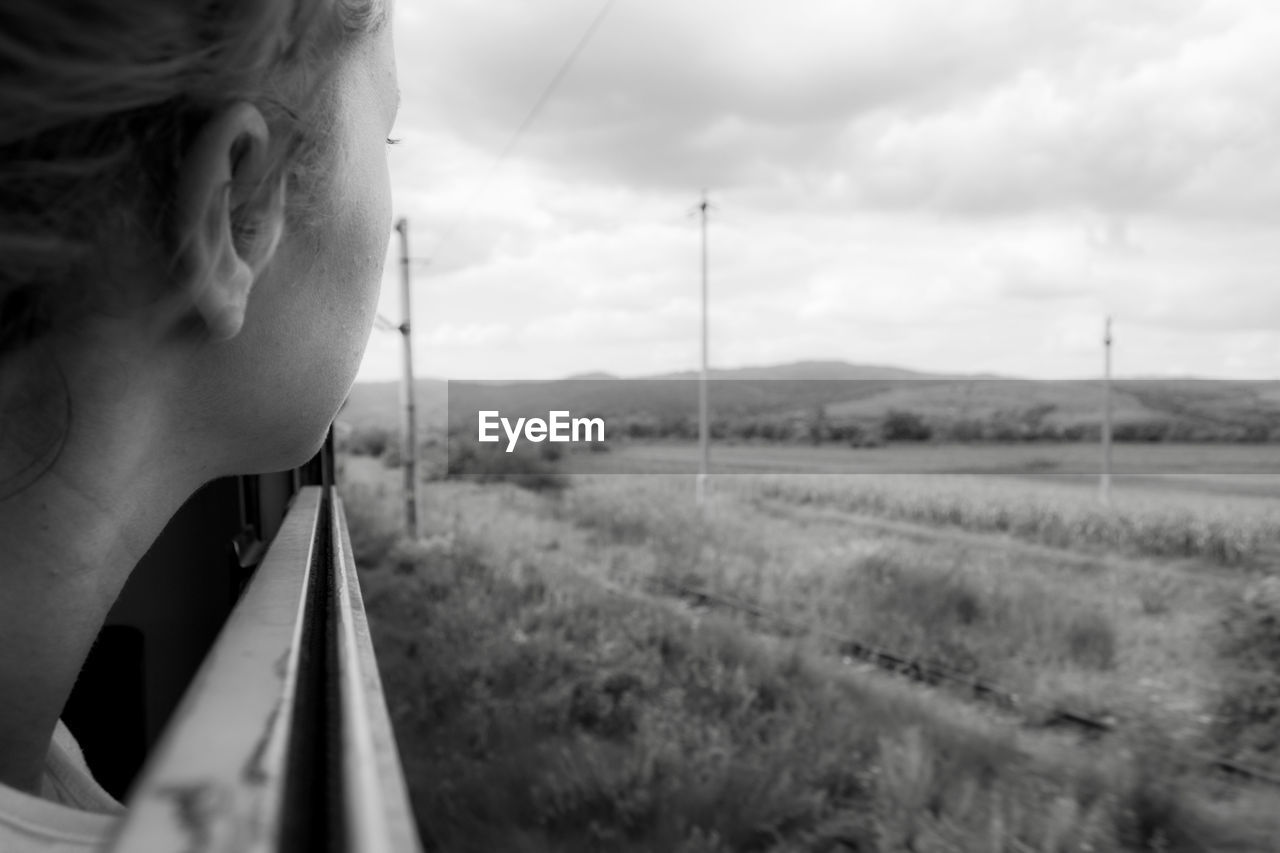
(936, 185)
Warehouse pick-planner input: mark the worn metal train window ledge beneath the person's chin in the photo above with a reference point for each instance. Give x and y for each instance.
(282, 741)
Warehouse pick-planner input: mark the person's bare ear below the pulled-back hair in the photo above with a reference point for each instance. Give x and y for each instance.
(228, 222)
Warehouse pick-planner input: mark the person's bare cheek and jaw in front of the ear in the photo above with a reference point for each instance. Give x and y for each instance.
(284, 380)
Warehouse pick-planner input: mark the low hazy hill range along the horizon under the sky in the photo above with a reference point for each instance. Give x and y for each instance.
(843, 393)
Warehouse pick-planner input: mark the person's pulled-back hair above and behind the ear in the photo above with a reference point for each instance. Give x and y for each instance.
(98, 103)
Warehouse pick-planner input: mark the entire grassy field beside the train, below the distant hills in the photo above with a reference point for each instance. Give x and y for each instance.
(564, 674)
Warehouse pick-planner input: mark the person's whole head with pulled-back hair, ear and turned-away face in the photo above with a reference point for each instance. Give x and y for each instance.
(194, 216)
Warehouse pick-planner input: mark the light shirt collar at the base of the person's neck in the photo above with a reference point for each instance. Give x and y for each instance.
(72, 815)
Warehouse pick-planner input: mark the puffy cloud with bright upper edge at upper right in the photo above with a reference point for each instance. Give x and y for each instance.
(1187, 133)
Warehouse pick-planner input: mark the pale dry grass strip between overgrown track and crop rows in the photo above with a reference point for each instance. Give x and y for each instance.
(1055, 632)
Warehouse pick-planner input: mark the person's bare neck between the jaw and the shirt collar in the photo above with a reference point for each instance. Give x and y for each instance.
(70, 540)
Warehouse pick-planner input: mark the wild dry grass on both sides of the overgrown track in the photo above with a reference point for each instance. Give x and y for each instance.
(538, 711)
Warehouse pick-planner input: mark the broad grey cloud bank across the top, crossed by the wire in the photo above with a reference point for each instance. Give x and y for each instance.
(994, 107)
